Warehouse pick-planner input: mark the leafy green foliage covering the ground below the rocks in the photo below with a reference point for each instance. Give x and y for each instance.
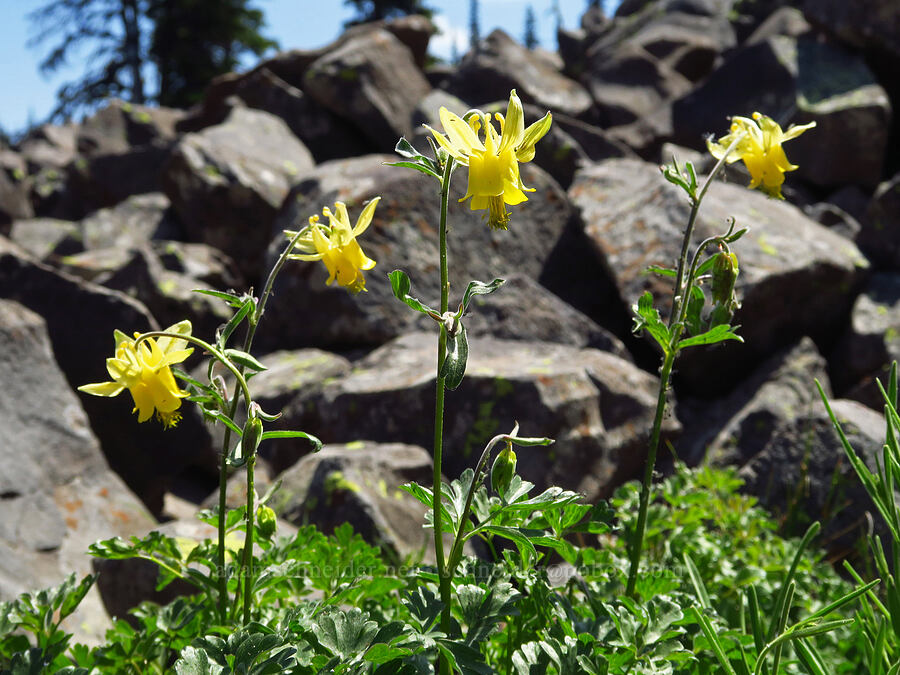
(720, 587)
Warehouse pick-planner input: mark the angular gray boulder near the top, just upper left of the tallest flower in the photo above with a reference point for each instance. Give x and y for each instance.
(373, 82)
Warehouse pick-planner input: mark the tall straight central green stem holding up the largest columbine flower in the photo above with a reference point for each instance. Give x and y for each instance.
(445, 579)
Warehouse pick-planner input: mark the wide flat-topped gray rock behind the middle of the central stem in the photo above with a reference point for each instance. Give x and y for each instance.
(598, 407)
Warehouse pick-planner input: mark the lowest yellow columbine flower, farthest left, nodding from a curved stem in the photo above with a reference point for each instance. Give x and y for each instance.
(144, 370)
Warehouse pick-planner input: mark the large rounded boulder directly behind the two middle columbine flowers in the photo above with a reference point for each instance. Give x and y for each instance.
(404, 235)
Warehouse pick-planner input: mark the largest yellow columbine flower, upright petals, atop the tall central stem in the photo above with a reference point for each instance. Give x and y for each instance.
(494, 179)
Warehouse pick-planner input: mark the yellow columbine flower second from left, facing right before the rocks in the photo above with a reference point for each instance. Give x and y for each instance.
(336, 245)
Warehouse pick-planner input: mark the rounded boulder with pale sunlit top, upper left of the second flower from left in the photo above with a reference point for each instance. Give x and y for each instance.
(227, 182)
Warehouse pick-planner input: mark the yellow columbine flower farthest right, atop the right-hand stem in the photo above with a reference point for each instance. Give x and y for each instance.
(760, 148)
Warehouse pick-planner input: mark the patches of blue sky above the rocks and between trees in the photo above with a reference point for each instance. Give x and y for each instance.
(293, 23)
